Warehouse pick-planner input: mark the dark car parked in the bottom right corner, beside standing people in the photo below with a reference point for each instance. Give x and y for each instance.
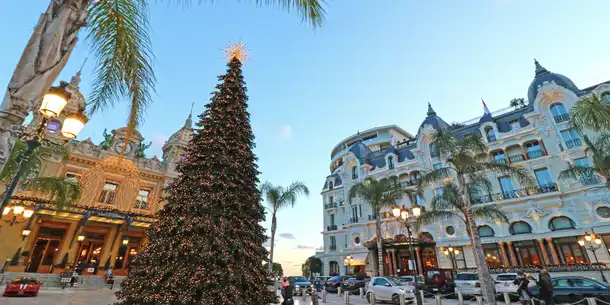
(571, 289)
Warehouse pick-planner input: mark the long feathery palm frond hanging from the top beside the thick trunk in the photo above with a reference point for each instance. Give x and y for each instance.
(118, 30)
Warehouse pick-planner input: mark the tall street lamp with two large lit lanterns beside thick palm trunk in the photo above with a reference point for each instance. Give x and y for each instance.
(52, 104)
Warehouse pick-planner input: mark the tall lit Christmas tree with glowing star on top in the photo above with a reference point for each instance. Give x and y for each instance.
(207, 246)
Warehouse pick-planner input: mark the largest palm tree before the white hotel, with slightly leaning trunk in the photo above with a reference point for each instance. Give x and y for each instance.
(465, 177)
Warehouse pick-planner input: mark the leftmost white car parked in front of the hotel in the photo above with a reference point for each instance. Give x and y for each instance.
(388, 288)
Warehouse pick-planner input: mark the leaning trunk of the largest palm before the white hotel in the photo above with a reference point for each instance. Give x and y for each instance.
(487, 285)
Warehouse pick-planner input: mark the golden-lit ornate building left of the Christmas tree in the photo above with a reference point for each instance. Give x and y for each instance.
(119, 198)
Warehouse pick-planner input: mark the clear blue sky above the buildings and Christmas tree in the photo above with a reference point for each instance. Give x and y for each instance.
(373, 63)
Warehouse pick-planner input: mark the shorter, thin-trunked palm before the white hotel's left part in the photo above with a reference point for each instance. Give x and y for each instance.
(380, 194)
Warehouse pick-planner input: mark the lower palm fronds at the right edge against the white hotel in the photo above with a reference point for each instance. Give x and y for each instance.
(600, 153)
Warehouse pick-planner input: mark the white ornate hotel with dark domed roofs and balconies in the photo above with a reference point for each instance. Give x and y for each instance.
(544, 223)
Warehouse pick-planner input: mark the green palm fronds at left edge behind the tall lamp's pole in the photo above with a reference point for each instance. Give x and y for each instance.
(60, 191)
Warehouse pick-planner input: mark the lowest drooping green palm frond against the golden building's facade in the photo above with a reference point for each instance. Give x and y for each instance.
(60, 191)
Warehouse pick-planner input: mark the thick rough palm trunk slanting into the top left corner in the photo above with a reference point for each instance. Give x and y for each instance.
(45, 55)
